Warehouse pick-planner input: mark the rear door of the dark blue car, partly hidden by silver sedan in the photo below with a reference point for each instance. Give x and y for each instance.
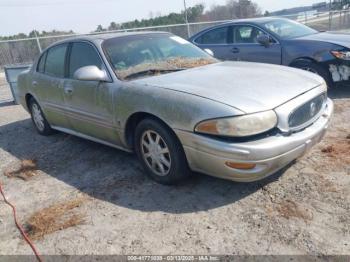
(217, 41)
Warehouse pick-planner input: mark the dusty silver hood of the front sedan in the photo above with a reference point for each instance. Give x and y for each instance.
(249, 87)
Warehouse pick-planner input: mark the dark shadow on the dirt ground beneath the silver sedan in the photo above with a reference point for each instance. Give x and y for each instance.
(115, 176)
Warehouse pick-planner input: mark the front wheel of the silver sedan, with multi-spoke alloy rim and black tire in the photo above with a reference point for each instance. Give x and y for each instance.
(160, 152)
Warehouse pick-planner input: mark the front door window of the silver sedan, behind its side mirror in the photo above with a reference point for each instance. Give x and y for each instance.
(83, 54)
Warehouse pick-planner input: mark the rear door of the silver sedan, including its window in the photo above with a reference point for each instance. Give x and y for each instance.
(47, 84)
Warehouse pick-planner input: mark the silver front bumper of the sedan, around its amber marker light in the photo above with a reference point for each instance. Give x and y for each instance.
(208, 156)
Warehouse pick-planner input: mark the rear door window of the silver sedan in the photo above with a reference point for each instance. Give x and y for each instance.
(55, 61)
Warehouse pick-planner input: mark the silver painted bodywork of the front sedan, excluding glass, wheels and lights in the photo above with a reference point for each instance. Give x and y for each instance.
(183, 99)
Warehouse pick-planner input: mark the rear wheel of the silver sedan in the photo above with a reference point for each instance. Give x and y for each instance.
(38, 118)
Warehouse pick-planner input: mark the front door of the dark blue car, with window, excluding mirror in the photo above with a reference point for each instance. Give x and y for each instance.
(247, 48)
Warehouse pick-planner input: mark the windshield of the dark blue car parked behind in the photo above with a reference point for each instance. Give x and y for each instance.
(288, 29)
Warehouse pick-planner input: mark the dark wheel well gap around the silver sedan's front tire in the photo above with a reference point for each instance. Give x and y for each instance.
(133, 121)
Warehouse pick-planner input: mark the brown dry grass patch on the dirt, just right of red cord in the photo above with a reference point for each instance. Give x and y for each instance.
(54, 218)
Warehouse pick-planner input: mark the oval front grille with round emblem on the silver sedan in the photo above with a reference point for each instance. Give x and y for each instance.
(307, 112)
